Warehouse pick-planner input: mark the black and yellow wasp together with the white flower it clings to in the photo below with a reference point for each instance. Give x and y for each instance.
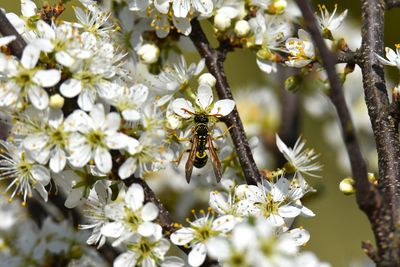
(206, 111)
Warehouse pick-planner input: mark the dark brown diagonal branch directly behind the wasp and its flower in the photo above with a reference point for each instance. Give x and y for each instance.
(215, 61)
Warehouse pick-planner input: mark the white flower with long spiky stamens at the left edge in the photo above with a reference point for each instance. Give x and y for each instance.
(23, 173)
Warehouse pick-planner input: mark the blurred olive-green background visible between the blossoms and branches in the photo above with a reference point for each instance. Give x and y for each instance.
(339, 226)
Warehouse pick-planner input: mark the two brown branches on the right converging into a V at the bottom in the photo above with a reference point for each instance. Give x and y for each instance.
(368, 198)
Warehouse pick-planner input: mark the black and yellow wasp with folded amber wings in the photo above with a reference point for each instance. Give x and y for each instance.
(202, 141)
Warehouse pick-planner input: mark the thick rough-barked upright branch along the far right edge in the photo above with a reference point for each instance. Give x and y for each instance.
(385, 129)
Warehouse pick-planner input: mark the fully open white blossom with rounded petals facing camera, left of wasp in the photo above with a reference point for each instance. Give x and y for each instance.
(95, 135)
